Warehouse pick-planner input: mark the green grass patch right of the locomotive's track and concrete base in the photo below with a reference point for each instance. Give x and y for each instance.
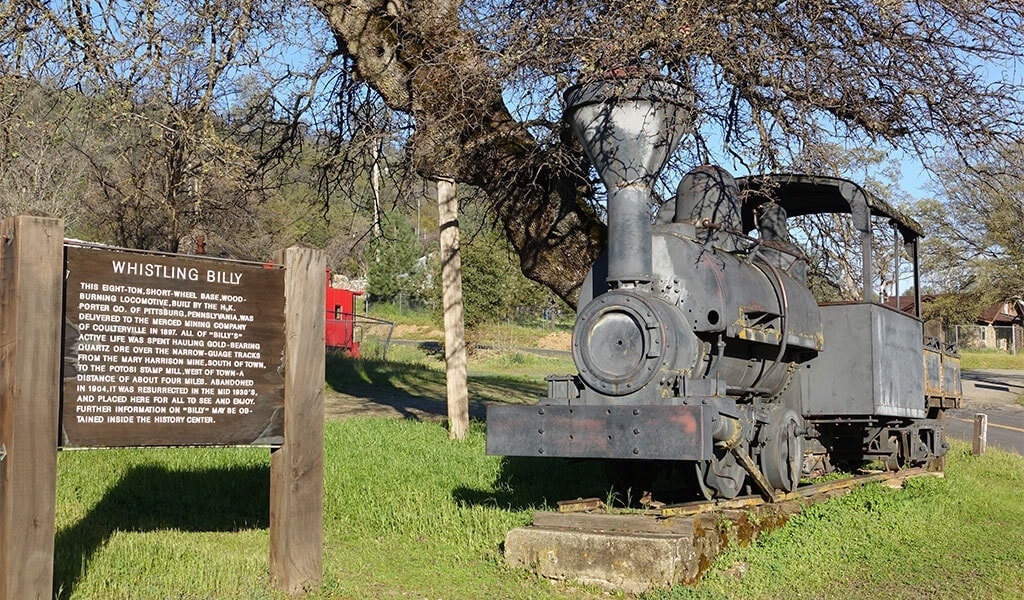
(962, 537)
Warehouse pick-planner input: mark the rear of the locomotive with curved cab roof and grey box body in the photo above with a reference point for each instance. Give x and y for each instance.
(883, 398)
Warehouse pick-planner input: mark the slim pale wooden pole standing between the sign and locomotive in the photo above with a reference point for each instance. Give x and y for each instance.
(455, 332)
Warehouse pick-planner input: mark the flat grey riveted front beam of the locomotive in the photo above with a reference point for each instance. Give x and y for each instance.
(651, 433)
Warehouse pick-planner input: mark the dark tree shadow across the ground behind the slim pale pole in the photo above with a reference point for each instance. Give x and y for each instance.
(417, 392)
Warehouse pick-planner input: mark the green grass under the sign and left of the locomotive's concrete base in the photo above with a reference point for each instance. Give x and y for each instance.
(408, 513)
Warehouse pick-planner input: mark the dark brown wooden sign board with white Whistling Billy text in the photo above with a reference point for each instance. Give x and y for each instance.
(170, 351)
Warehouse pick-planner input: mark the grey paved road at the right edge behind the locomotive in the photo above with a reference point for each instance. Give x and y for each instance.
(995, 394)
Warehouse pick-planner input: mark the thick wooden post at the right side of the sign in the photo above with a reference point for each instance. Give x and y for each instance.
(297, 467)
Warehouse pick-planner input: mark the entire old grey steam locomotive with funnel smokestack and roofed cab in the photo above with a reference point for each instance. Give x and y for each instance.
(700, 345)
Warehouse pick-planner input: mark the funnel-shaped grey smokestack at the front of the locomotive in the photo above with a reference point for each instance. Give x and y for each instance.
(629, 128)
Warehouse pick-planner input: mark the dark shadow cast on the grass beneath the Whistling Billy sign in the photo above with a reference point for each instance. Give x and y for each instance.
(153, 498)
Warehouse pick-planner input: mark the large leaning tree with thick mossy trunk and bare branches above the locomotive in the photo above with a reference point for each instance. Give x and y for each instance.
(482, 81)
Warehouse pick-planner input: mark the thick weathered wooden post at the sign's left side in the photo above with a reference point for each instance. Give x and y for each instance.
(31, 292)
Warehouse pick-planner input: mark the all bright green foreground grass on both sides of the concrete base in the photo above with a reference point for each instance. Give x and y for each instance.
(410, 515)
